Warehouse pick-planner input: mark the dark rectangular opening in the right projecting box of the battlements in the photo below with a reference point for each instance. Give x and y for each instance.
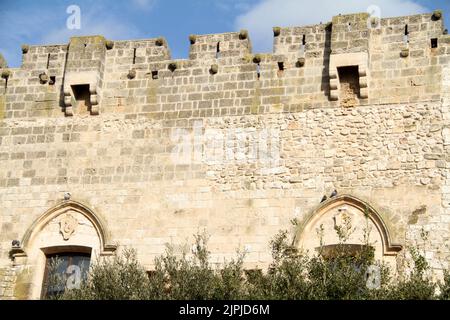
(349, 85)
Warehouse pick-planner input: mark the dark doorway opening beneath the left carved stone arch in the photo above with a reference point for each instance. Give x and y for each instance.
(64, 271)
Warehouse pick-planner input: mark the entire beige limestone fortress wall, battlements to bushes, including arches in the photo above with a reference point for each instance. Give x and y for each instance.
(112, 144)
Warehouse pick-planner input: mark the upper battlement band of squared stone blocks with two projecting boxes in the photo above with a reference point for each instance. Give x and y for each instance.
(390, 60)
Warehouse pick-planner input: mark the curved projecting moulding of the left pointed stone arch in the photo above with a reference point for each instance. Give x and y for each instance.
(106, 247)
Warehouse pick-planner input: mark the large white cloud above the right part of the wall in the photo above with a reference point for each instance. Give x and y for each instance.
(260, 19)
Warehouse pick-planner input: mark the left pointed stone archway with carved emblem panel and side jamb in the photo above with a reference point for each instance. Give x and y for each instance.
(69, 226)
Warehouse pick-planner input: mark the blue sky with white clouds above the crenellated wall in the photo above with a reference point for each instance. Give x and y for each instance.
(44, 21)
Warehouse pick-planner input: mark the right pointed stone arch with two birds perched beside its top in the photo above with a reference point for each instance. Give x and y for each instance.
(383, 232)
